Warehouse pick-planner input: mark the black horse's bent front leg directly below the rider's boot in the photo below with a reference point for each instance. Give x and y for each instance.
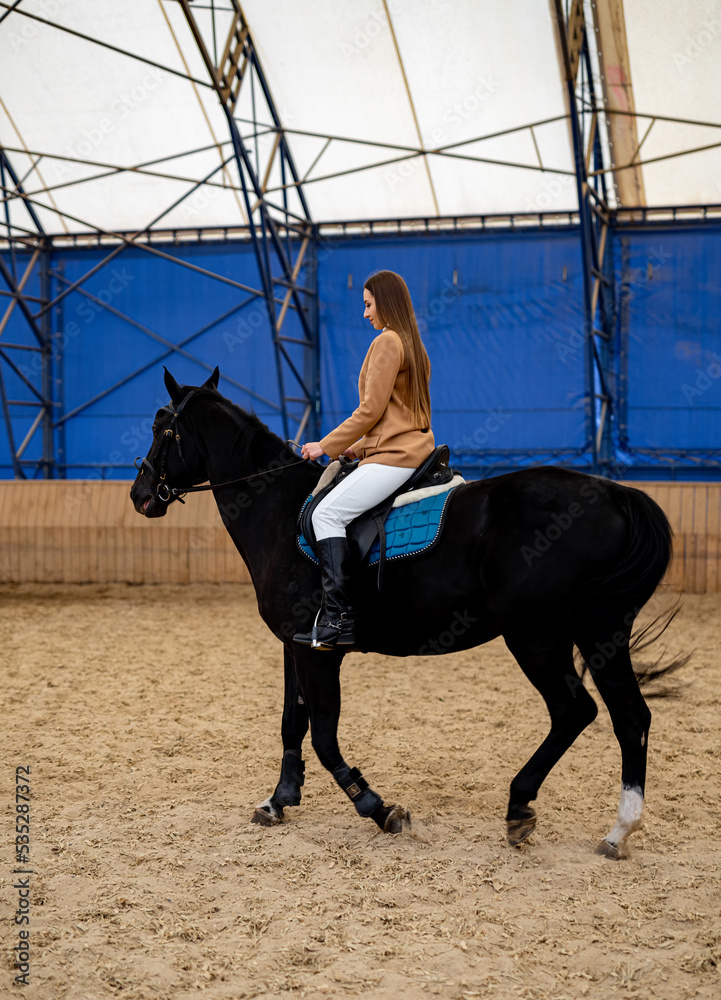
(319, 676)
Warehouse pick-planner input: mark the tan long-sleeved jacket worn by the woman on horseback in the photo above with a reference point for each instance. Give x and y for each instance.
(382, 429)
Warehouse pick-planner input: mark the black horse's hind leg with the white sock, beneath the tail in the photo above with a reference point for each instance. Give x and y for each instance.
(609, 661)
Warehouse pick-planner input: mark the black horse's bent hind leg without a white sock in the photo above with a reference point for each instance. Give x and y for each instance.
(550, 668)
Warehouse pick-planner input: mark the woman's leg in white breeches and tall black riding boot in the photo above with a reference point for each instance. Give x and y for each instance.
(363, 489)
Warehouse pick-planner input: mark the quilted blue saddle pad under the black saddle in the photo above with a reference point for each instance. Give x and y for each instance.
(410, 529)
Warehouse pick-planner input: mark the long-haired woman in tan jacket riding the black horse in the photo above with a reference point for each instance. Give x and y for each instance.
(390, 433)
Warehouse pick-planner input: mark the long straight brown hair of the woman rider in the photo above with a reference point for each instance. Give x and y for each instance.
(395, 310)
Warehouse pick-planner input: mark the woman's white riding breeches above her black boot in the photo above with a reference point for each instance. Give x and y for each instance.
(362, 489)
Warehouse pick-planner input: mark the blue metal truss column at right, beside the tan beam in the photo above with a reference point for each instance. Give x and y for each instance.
(610, 190)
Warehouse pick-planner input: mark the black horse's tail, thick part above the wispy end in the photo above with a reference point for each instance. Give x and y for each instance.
(627, 585)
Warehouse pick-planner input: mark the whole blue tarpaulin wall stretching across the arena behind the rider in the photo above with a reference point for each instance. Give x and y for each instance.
(500, 314)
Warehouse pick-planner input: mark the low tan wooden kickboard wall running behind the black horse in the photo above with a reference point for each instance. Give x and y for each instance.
(74, 531)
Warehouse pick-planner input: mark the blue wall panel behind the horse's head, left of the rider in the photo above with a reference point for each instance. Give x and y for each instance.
(171, 304)
